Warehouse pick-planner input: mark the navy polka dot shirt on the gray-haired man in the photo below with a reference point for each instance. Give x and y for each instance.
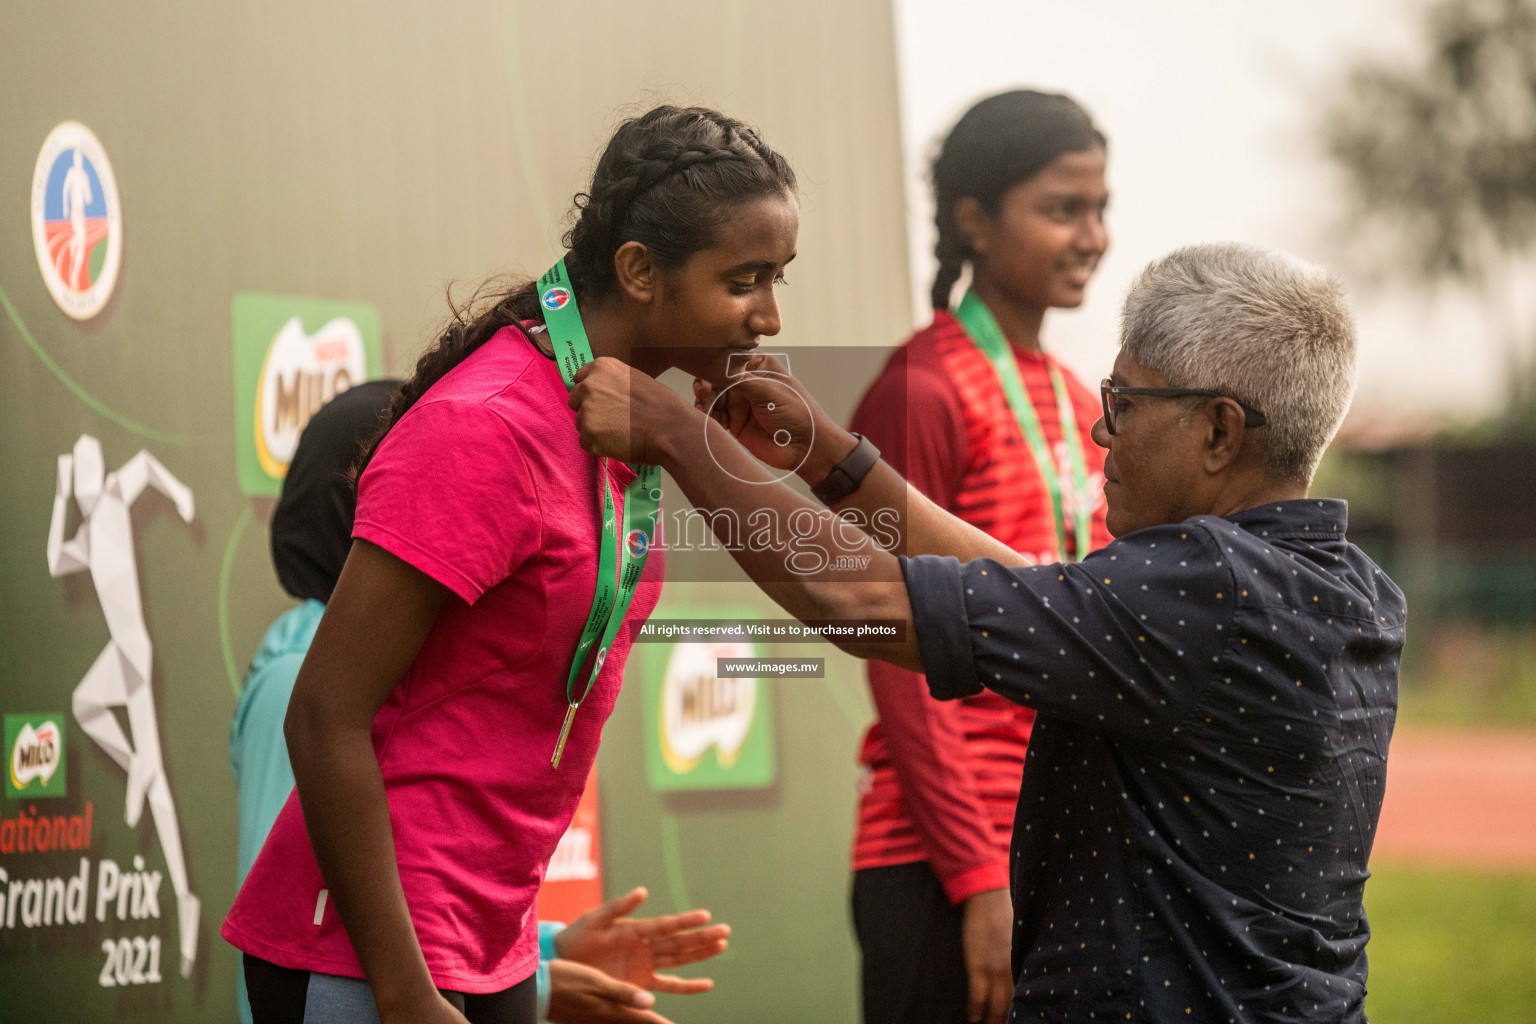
(1205, 778)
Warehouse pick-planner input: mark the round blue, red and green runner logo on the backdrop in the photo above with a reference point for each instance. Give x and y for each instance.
(78, 220)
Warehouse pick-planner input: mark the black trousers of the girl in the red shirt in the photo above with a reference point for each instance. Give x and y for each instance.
(910, 939)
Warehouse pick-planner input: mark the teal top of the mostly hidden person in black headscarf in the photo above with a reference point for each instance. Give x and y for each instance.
(263, 776)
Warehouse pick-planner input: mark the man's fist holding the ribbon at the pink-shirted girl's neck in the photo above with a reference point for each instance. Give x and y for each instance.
(624, 414)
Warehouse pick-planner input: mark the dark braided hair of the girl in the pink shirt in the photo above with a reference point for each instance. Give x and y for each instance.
(669, 180)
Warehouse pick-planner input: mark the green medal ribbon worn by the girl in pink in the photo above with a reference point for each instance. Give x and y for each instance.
(621, 555)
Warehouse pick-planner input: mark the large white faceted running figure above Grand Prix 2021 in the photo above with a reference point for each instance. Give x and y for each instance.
(121, 676)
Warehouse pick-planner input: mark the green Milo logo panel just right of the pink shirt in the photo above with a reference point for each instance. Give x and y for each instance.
(703, 732)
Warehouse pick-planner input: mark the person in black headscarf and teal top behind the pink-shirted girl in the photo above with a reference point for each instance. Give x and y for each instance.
(603, 968)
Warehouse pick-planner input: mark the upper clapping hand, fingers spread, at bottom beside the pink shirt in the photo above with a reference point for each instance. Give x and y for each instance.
(634, 950)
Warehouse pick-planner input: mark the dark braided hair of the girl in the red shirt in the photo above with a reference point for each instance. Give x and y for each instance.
(1001, 142)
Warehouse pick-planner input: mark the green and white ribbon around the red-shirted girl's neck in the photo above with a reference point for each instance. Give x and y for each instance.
(988, 337)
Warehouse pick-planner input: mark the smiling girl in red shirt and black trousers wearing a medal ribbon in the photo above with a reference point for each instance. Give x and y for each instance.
(979, 418)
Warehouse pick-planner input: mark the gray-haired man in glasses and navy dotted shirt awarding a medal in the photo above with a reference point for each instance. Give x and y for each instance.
(1216, 689)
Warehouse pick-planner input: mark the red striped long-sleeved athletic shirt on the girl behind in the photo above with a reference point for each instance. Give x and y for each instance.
(942, 778)
